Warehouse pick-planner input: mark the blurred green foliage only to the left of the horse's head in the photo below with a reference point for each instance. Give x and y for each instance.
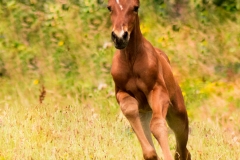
(41, 38)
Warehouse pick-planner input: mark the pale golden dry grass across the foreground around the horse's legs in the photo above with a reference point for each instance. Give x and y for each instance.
(66, 128)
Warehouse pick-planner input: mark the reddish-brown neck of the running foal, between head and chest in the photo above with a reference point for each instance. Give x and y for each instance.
(135, 43)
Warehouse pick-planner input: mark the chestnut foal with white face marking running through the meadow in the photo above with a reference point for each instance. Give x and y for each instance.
(145, 88)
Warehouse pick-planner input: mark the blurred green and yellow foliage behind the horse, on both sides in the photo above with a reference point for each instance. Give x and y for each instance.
(67, 41)
